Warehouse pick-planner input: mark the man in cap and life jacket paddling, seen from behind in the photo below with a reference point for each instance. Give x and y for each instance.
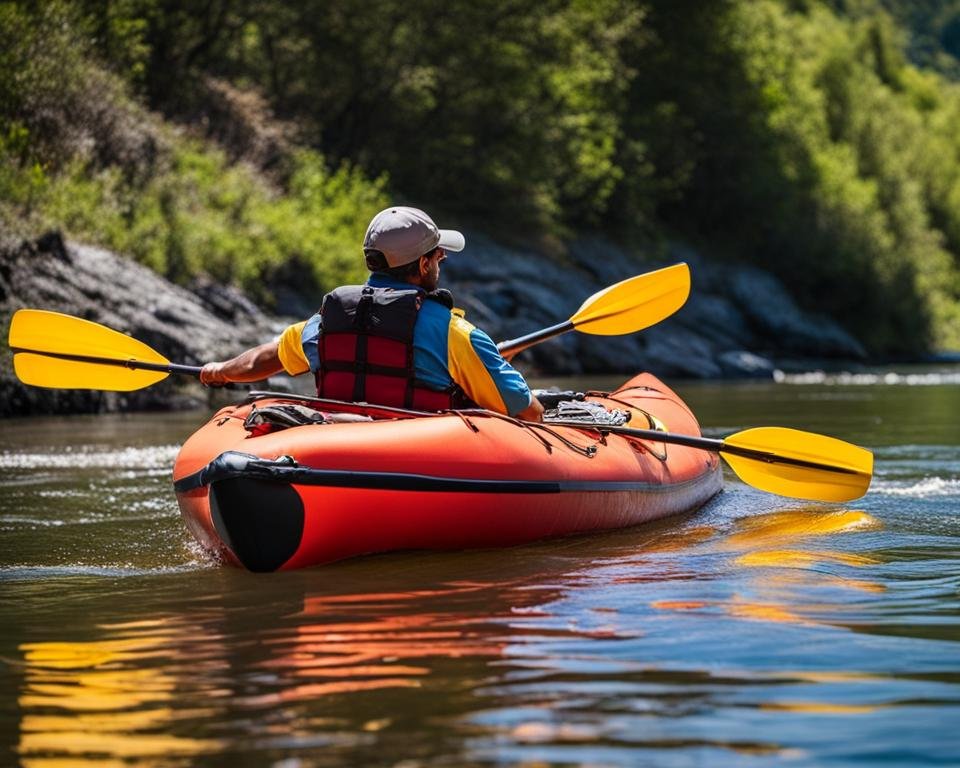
(397, 340)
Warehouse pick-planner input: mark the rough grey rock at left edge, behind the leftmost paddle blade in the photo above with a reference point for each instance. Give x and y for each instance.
(97, 285)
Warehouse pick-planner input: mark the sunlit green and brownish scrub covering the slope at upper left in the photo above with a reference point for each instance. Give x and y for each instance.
(174, 203)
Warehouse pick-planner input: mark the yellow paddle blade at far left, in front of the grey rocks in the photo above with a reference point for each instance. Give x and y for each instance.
(38, 331)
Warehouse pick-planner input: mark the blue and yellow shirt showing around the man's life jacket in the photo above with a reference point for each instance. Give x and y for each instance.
(446, 350)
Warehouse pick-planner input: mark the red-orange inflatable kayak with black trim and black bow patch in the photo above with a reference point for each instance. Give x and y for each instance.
(278, 482)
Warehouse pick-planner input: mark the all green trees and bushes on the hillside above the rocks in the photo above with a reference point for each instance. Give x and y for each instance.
(817, 139)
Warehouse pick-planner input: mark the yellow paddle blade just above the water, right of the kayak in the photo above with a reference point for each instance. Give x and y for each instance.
(827, 470)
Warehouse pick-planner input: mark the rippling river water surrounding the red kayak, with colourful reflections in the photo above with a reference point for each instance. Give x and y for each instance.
(758, 631)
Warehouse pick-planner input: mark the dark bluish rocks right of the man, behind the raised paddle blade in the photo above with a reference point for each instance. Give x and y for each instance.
(733, 317)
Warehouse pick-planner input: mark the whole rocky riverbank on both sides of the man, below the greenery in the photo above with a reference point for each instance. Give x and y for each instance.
(740, 322)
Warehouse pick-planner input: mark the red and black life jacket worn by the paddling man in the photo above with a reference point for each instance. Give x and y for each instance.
(366, 349)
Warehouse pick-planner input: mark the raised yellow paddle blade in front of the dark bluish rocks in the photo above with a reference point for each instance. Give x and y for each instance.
(634, 304)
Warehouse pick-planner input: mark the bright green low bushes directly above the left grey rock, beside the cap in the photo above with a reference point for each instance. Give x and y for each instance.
(201, 215)
